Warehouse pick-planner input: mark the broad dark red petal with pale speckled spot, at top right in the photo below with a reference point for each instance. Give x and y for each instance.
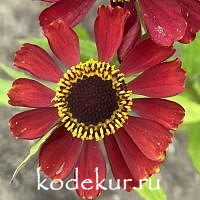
(164, 20)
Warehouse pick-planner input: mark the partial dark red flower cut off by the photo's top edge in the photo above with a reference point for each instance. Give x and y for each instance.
(166, 21)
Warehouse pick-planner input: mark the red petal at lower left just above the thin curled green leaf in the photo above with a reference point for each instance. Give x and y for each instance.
(33, 124)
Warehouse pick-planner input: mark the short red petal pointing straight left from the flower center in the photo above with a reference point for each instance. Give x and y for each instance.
(30, 93)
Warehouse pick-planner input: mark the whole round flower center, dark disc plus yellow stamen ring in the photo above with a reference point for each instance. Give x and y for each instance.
(92, 100)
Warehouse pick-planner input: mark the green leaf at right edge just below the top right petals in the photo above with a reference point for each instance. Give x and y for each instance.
(190, 56)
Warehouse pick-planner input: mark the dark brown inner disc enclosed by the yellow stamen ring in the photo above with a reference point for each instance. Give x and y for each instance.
(92, 100)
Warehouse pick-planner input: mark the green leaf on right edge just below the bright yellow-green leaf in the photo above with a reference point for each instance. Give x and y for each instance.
(193, 144)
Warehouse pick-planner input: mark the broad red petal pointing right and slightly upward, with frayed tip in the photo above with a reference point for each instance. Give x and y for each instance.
(163, 80)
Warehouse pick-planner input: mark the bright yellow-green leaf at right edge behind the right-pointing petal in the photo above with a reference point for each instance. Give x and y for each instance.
(192, 109)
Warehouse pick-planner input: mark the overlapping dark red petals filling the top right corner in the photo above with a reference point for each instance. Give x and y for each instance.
(171, 20)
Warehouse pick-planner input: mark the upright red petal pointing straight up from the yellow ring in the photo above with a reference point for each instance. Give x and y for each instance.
(109, 29)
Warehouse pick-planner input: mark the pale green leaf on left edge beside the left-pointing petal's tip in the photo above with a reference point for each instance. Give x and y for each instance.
(5, 86)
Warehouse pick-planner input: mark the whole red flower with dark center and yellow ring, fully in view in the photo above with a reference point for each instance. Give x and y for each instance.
(92, 102)
